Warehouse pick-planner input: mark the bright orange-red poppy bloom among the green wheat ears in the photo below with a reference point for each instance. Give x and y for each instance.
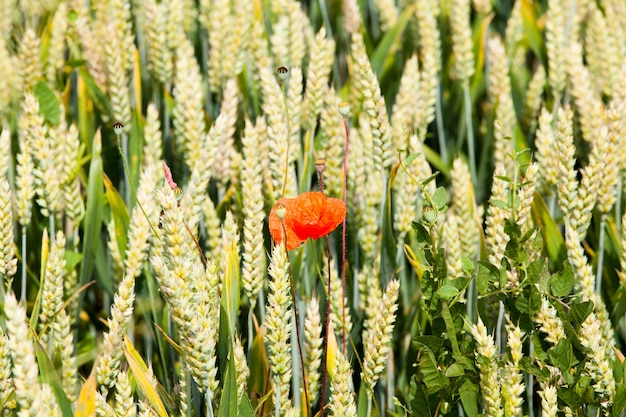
(310, 215)
